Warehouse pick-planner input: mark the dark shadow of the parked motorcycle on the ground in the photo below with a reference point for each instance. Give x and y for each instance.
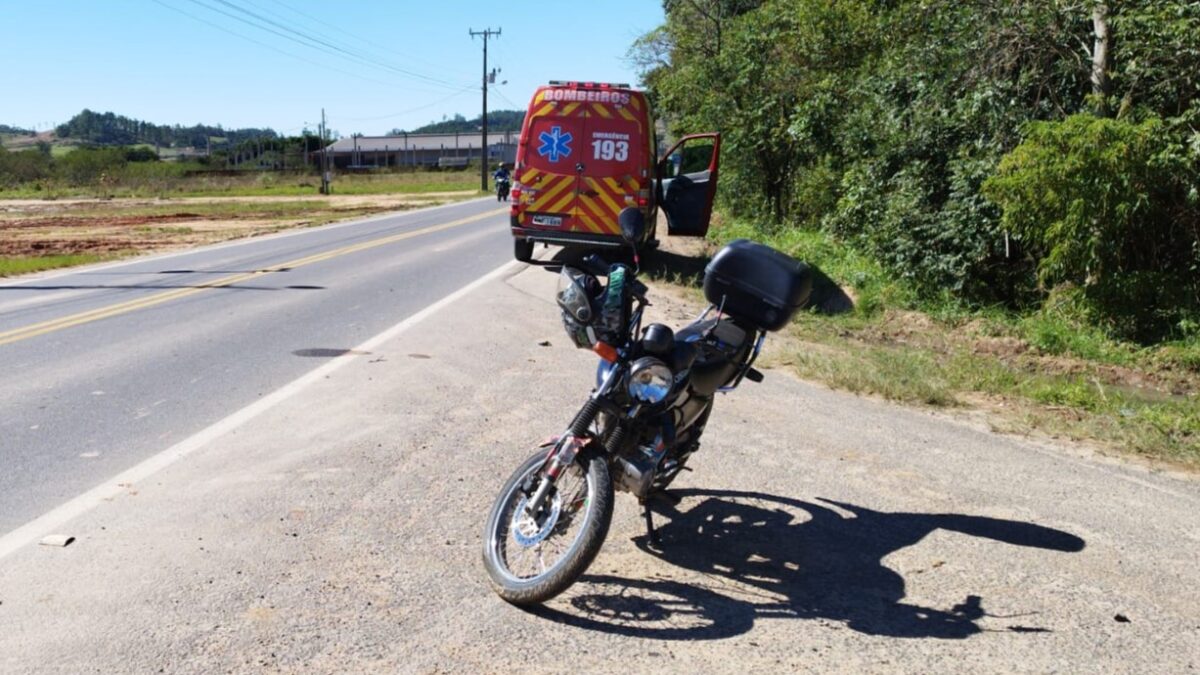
(779, 558)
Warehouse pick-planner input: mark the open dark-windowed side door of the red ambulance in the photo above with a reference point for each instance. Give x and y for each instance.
(688, 184)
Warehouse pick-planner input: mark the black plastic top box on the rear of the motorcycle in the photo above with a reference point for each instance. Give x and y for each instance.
(758, 284)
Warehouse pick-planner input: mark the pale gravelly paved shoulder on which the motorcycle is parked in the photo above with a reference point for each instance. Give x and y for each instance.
(339, 530)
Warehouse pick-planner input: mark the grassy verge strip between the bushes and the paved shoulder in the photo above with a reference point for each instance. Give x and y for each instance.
(1078, 405)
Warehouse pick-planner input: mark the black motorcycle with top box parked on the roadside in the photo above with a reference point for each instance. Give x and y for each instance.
(646, 416)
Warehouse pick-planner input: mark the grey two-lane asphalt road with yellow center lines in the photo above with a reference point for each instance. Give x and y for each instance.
(106, 367)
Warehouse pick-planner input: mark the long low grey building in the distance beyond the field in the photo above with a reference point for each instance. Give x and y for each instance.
(421, 151)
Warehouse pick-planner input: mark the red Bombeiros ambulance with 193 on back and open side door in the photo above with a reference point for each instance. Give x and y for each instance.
(589, 151)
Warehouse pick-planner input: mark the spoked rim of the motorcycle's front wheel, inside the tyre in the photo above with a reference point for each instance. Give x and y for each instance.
(531, 547)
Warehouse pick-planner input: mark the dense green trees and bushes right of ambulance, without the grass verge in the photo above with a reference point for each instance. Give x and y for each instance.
(989, 154)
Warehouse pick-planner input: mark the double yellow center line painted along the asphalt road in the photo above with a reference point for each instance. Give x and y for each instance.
(89, 316)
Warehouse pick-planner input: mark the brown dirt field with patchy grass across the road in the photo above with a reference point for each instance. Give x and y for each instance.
(122, 228)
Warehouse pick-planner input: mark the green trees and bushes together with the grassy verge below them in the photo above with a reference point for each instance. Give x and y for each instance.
(1007, 193)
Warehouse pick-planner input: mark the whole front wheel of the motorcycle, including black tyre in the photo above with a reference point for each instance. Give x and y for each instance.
(533, 558)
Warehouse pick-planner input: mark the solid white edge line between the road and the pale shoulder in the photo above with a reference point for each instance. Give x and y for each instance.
(112, 488)
